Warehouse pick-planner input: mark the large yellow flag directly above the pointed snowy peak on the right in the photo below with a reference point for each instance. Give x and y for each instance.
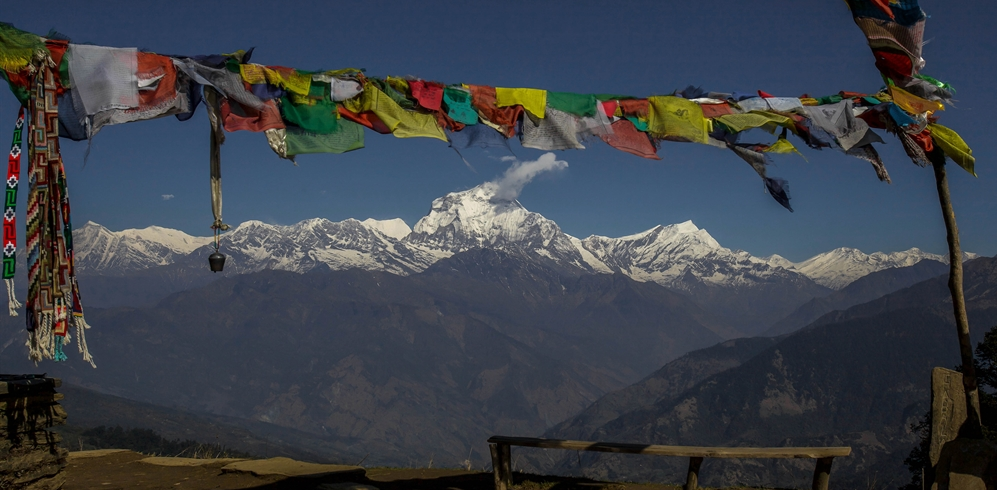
(676, 118)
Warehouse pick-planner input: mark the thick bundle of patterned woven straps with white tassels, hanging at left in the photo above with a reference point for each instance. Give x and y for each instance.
(53, 293)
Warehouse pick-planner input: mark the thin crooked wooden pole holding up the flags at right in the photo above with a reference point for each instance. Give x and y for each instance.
(972, 428)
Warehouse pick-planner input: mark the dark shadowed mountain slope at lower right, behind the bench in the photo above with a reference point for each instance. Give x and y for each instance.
(856, 377)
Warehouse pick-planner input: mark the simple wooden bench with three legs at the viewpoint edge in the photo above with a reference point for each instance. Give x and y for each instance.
(502, 464)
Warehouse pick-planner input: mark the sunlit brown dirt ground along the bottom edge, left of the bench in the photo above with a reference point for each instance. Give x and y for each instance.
(125, 470)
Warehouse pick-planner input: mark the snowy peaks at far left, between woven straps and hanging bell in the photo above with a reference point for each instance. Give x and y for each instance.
(102, 251)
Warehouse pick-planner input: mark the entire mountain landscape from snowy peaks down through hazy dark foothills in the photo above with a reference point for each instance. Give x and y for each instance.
(405, 345)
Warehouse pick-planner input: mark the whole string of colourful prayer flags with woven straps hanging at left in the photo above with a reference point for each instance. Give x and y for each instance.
(73, 90)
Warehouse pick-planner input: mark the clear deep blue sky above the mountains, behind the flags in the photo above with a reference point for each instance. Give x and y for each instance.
(639, 48)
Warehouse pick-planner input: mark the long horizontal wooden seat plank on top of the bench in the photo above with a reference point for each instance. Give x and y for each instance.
(686, 451)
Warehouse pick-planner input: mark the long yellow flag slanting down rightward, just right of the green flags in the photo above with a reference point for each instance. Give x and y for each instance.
(402, 123)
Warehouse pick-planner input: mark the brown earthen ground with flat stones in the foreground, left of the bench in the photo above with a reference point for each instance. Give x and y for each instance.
(120, 469)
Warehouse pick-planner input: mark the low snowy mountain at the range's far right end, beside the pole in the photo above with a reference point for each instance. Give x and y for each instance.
(842, 266)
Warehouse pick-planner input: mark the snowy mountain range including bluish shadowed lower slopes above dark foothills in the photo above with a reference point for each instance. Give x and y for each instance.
(750, 293)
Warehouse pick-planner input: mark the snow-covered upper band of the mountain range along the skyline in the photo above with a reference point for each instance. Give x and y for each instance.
(667, 254)
